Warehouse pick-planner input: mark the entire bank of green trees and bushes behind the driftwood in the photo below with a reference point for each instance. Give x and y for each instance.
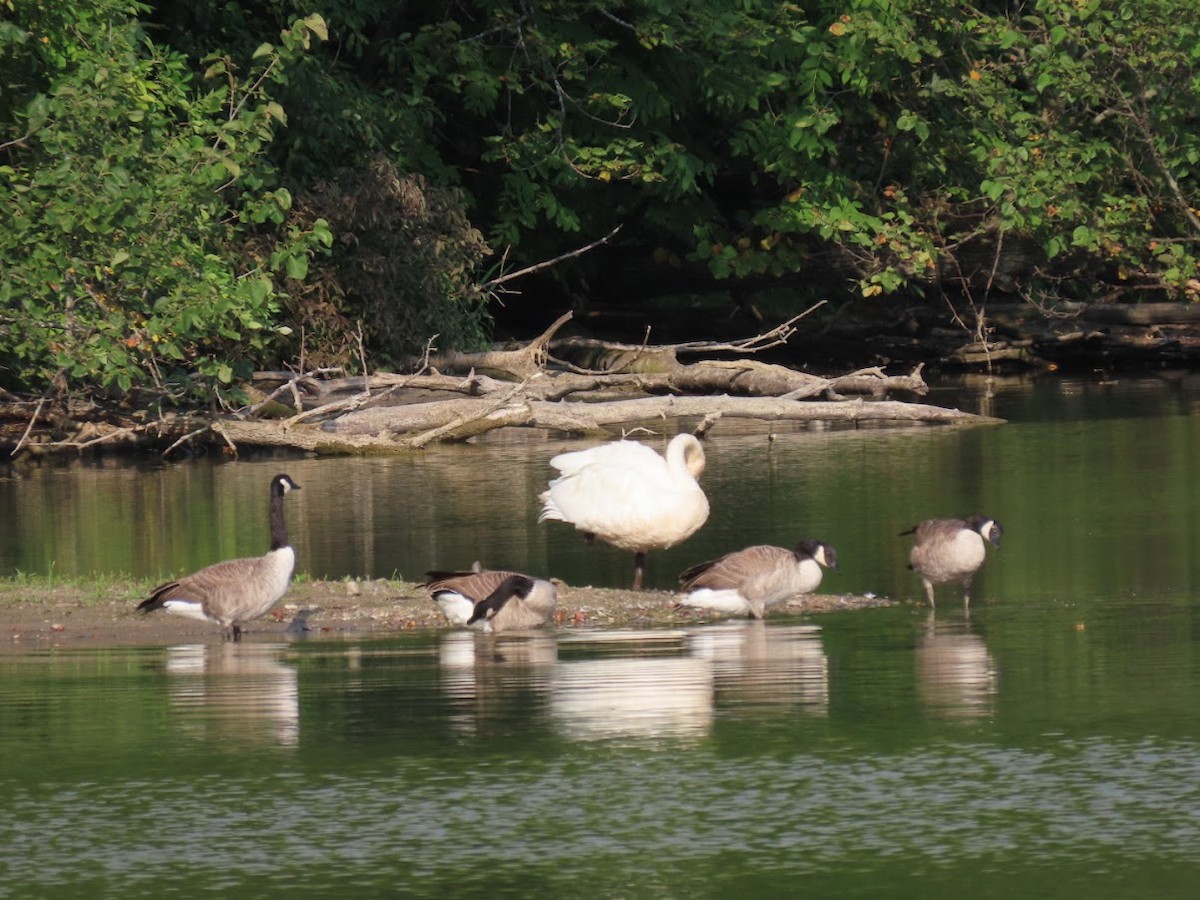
(177, 206)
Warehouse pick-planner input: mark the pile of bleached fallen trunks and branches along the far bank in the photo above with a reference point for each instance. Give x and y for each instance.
(391, 413)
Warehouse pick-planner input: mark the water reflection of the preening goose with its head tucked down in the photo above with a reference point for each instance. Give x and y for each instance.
(482, 674)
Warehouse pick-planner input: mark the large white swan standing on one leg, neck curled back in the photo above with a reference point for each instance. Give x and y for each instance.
(627, 495)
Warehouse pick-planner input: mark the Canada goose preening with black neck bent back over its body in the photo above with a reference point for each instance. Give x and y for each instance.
(499, 601)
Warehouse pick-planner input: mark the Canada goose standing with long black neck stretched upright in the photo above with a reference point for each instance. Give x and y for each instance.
(237, 591)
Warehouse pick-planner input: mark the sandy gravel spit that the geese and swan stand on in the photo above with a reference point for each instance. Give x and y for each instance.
(52, 616)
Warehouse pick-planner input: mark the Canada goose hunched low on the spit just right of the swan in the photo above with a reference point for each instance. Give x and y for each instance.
(753, 580)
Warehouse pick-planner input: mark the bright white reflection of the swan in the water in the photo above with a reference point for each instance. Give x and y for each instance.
(629, 694)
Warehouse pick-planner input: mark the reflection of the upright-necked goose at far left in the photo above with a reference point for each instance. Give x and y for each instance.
(236, 692)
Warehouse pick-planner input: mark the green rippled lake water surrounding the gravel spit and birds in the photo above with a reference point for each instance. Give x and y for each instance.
(1046, 746)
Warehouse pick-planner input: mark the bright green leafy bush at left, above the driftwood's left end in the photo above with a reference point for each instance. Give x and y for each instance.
(127, 202)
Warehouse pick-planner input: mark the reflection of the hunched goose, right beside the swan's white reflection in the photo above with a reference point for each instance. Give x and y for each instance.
(757, 665)
